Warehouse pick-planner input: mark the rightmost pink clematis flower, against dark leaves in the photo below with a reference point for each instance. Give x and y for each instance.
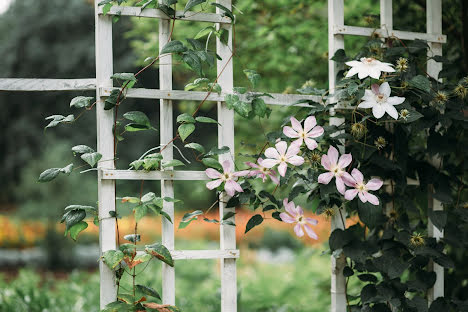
(360, 188)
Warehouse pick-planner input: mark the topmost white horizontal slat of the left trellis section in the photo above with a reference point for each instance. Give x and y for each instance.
(156, 13)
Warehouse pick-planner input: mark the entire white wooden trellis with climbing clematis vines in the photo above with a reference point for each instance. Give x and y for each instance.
(105, 119)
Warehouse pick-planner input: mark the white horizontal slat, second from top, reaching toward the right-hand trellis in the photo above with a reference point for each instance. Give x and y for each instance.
(278, 98)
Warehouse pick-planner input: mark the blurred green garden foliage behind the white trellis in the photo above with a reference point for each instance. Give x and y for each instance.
(284, 40)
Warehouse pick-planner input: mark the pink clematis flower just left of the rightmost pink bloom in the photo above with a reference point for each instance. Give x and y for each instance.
(336, 168)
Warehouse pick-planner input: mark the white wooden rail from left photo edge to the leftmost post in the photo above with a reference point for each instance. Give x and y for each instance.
(31, 84)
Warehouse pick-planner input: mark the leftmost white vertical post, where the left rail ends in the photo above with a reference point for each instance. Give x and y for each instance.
(105, 146)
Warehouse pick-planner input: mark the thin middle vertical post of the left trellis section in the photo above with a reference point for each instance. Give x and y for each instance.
(167, 187)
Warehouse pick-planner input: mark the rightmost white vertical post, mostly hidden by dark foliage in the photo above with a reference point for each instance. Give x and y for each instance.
(434, 26)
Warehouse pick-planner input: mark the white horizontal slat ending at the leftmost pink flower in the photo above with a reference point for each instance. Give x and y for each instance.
(106, 174)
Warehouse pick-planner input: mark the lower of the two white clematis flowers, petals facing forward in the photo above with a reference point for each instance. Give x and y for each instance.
(380, 101)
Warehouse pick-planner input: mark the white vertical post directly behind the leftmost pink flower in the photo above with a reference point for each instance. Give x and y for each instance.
(226, 138)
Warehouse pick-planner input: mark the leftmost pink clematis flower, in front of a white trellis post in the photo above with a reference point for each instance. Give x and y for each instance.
(228, 177)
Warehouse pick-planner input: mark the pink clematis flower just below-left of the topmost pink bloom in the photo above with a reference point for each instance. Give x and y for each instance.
(282, 155)
